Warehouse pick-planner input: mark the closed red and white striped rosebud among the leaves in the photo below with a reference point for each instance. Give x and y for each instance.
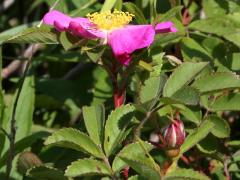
(174, 134)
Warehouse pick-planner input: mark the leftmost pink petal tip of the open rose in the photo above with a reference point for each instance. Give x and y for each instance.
(57, 19)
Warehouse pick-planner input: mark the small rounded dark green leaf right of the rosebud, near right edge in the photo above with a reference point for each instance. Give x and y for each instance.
(221, 128)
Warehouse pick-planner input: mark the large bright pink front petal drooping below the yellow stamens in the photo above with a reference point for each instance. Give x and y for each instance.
(126, 40)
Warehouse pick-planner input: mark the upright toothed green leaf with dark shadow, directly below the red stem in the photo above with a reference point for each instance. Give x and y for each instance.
(116, 126)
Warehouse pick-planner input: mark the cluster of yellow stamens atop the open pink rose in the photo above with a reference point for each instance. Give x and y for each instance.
(110, 20)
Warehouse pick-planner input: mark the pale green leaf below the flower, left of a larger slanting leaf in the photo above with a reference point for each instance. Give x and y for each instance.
(151, 90)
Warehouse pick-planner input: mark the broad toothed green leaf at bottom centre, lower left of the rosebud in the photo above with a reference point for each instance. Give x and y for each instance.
(136, 155)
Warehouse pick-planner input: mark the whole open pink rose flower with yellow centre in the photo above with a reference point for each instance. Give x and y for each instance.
(111, 28)
